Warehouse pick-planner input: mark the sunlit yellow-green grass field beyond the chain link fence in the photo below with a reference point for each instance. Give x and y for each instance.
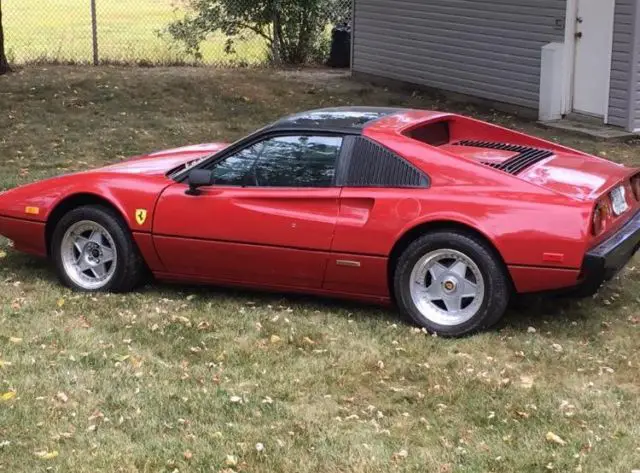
(127, 32)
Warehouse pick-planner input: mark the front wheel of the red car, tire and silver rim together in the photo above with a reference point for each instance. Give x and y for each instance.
(93, 250)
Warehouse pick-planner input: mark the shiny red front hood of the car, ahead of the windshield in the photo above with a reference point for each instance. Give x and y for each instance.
(161, 162)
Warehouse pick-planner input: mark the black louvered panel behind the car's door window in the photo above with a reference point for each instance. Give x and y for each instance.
(372, 165)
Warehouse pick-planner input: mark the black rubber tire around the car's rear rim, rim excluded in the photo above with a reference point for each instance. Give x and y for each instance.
(497, 287)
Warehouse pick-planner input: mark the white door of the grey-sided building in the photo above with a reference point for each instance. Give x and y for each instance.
(594, 41)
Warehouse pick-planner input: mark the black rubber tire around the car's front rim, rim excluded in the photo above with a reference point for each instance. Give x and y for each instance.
(129, 263)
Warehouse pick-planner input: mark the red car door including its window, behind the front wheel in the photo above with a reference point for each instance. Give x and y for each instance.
(268, 219)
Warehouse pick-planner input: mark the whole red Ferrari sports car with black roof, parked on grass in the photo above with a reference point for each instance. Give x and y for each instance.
(444, 215)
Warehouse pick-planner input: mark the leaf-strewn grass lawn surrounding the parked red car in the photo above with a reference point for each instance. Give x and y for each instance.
(187, 379)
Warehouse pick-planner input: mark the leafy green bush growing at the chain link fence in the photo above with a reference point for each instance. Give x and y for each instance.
(292, 29)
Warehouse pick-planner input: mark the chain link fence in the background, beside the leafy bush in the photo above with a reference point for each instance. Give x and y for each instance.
(129, 32)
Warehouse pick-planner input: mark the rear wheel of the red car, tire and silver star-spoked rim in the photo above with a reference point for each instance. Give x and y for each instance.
(451, 283)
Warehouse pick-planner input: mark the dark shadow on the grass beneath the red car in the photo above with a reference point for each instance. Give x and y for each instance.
(561, 315)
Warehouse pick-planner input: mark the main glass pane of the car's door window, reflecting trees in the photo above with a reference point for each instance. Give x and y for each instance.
(298, 161)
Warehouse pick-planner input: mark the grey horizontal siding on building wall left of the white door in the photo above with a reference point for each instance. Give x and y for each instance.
(486, 48)
